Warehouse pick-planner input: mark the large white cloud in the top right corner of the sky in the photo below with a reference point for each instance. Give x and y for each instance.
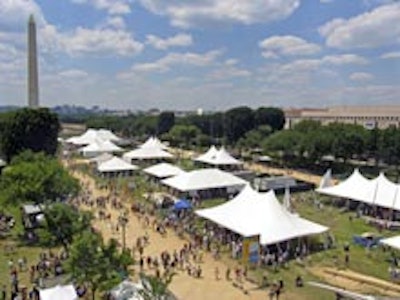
(376, 28)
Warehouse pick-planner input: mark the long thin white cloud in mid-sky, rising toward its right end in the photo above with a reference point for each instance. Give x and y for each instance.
(165, 63)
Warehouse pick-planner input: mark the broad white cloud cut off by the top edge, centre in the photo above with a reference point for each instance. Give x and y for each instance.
(183, 13)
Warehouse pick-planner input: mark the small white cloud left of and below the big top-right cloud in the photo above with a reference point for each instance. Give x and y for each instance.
(287, 45)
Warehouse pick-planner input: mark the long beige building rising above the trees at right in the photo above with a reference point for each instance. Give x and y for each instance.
(381, 116)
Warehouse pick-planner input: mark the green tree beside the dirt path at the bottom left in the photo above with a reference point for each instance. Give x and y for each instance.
(98, 265)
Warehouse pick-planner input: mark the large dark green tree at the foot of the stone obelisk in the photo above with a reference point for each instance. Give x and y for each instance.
(29, 129)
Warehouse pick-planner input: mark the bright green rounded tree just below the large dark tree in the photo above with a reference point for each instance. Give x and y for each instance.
(35, 177)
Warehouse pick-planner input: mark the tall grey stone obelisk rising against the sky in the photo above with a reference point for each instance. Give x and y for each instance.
(33, 84)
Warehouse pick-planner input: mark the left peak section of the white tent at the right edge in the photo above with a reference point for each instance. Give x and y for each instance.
(355, 187)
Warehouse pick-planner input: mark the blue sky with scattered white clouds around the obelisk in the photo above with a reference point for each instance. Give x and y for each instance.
(208, 54)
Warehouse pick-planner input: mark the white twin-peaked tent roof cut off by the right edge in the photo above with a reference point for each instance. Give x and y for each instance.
(379, 191)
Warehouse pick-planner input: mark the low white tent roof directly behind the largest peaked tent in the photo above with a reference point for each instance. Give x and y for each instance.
(203, 179)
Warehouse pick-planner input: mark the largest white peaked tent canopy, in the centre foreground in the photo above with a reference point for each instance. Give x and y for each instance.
(252, 213)
